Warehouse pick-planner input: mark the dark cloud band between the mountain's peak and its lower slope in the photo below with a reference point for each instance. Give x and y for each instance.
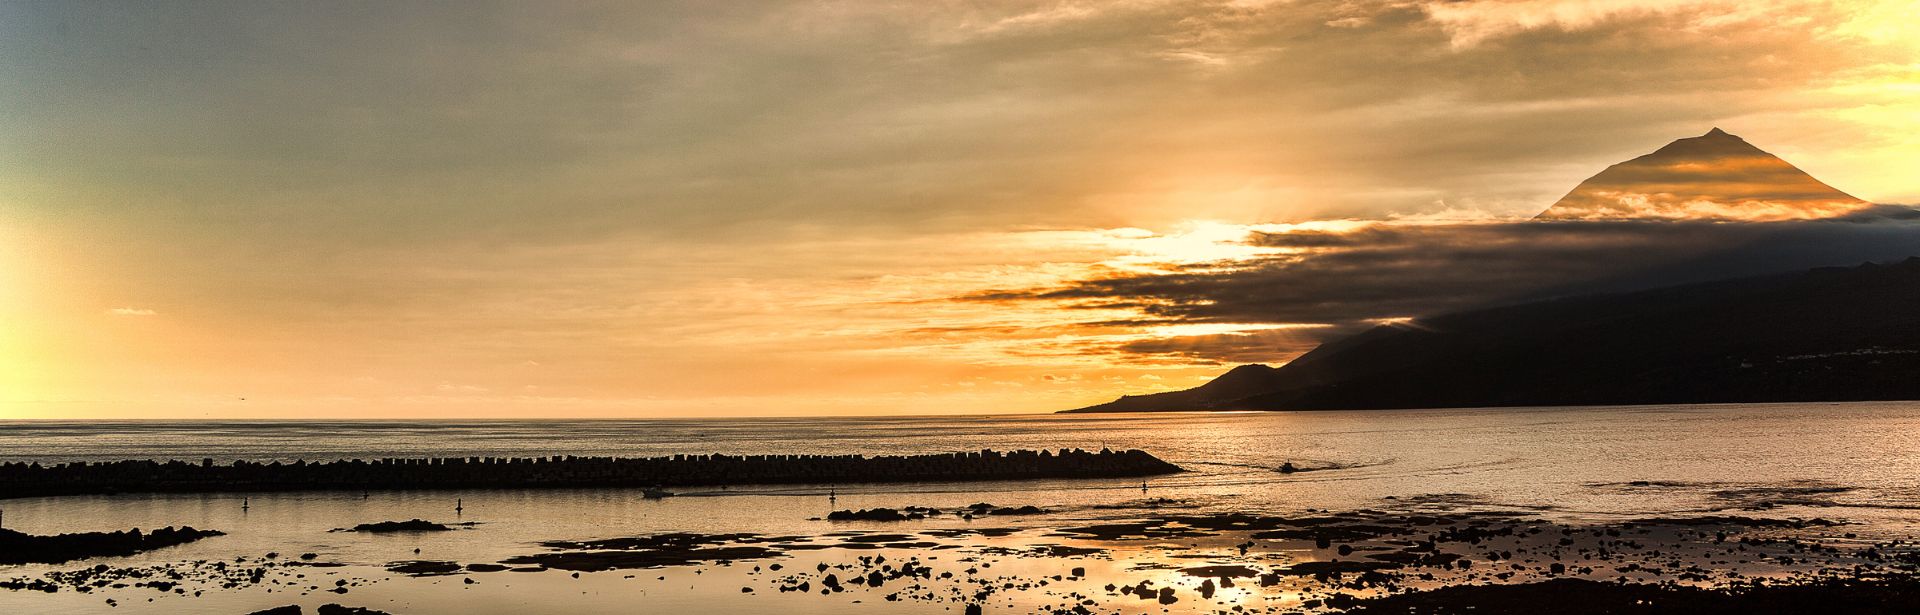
(1389, 272)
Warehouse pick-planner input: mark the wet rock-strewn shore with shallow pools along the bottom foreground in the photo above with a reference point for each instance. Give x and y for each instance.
(1412, 558)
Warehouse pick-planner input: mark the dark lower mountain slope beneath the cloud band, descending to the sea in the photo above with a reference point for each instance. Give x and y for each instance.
(1827, 335)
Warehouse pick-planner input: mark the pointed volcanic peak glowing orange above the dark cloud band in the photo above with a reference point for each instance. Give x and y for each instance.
(1716, 176)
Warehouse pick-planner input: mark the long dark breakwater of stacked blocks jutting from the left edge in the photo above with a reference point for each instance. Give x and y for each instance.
(569, 472)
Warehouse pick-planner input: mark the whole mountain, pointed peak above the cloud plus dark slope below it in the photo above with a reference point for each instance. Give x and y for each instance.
(1827, 335)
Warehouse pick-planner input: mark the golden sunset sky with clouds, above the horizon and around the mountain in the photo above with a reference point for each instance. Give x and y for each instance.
(848, 209)
